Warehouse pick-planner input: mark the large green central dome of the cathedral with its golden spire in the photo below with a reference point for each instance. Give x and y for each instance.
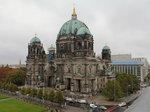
(73, 27)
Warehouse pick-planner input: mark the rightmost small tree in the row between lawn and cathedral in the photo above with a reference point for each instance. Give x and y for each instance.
(58, 97)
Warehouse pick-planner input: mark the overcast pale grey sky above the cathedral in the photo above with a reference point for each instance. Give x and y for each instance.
(124, 25)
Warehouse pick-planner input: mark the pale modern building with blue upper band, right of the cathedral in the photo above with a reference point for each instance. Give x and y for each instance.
(125, 63)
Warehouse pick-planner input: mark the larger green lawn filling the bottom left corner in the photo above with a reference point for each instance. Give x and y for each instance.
(13, 105)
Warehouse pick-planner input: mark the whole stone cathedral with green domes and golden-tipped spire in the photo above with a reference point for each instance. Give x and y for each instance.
(72, 65)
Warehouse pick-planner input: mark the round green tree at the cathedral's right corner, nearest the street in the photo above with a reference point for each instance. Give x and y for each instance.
(112, 90)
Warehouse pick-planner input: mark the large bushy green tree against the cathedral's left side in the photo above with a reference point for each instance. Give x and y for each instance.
(16, 77)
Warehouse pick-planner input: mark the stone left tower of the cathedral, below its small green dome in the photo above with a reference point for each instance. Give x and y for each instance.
(35, 63)
